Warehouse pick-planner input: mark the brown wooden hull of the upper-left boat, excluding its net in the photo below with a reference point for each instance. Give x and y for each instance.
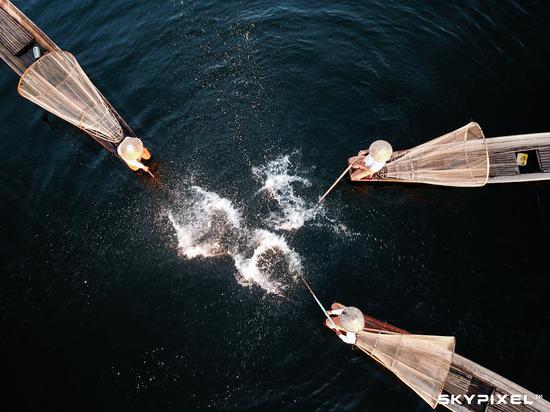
(19, 40)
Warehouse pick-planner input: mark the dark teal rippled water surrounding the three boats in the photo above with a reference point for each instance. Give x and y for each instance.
(99, 308)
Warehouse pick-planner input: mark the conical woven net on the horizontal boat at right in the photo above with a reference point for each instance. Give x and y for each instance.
(458, 158)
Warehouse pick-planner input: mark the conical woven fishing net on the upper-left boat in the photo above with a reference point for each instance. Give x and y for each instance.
(57, 83)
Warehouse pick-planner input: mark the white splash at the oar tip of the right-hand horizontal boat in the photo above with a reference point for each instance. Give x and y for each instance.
(278, 184)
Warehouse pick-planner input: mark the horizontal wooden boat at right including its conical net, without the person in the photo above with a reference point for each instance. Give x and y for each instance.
(465, 158)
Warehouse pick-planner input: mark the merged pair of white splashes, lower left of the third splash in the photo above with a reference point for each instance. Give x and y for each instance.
(208, 225)
